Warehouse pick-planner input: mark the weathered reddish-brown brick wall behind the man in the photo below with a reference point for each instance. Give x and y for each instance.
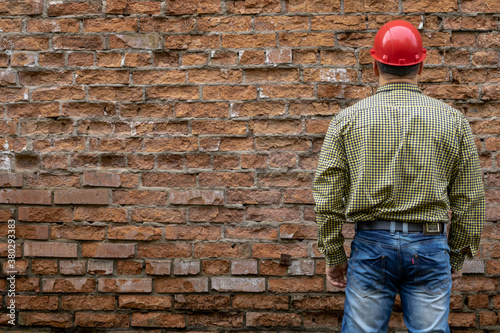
(158, 156)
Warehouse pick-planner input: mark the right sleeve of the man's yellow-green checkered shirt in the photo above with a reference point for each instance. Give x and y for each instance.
(467, 202)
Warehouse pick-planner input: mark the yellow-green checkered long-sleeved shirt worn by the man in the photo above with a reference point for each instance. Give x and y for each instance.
(399, 156)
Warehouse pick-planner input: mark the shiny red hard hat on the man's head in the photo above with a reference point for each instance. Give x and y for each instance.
(398, 43)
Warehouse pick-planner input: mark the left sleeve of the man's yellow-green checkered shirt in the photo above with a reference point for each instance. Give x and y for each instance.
(329, 191)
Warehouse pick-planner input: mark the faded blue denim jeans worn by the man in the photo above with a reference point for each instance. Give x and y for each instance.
(416, 265)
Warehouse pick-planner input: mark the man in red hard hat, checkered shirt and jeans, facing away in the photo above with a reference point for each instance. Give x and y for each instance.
(396, 163)
